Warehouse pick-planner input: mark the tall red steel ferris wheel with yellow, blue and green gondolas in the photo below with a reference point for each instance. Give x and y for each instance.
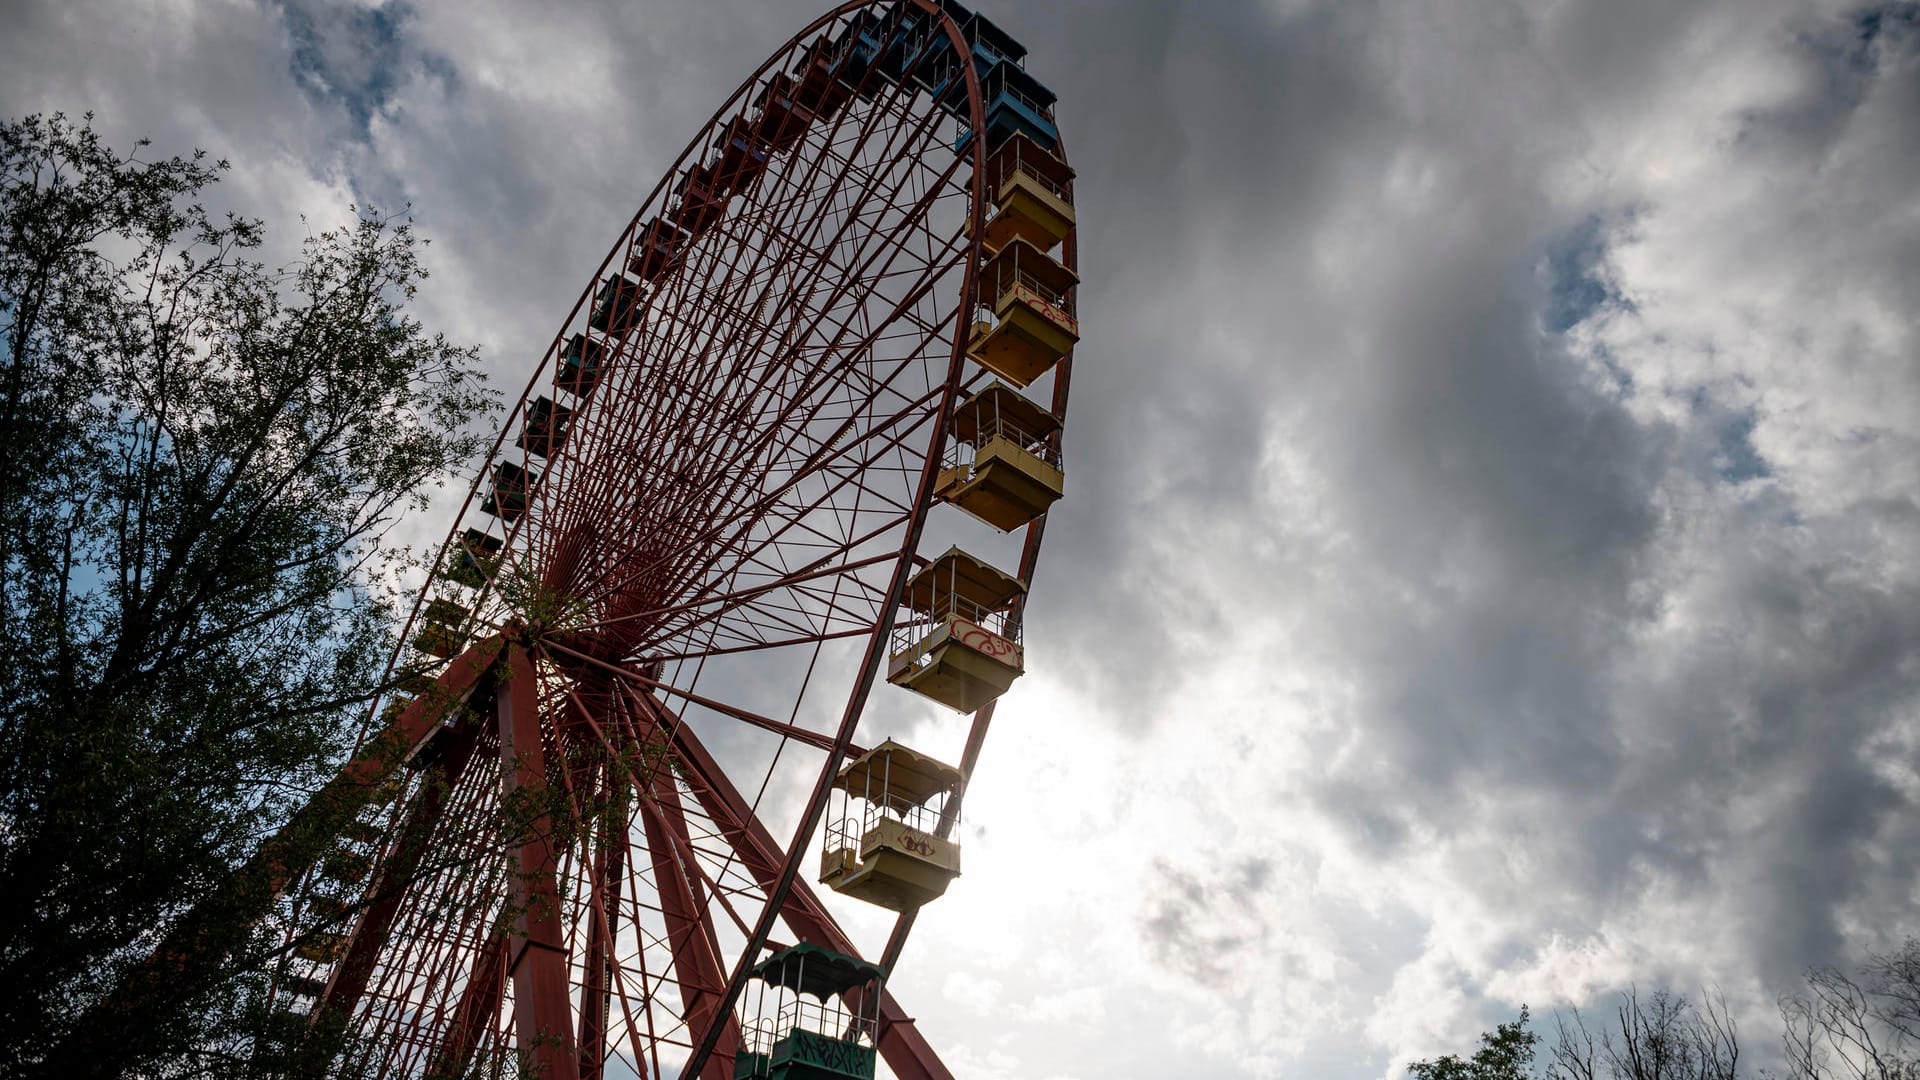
(782, 474)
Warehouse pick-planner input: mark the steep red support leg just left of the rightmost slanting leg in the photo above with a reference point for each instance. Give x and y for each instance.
(696, 958)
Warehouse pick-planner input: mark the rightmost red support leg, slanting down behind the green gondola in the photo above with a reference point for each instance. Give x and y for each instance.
(907, 1052)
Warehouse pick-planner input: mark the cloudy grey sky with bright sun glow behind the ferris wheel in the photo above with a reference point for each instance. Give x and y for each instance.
(1493, 454)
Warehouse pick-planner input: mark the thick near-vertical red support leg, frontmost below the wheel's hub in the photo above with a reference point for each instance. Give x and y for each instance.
(537, 962)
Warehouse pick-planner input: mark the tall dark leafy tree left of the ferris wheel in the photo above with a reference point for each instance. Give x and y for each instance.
(201, 462)
